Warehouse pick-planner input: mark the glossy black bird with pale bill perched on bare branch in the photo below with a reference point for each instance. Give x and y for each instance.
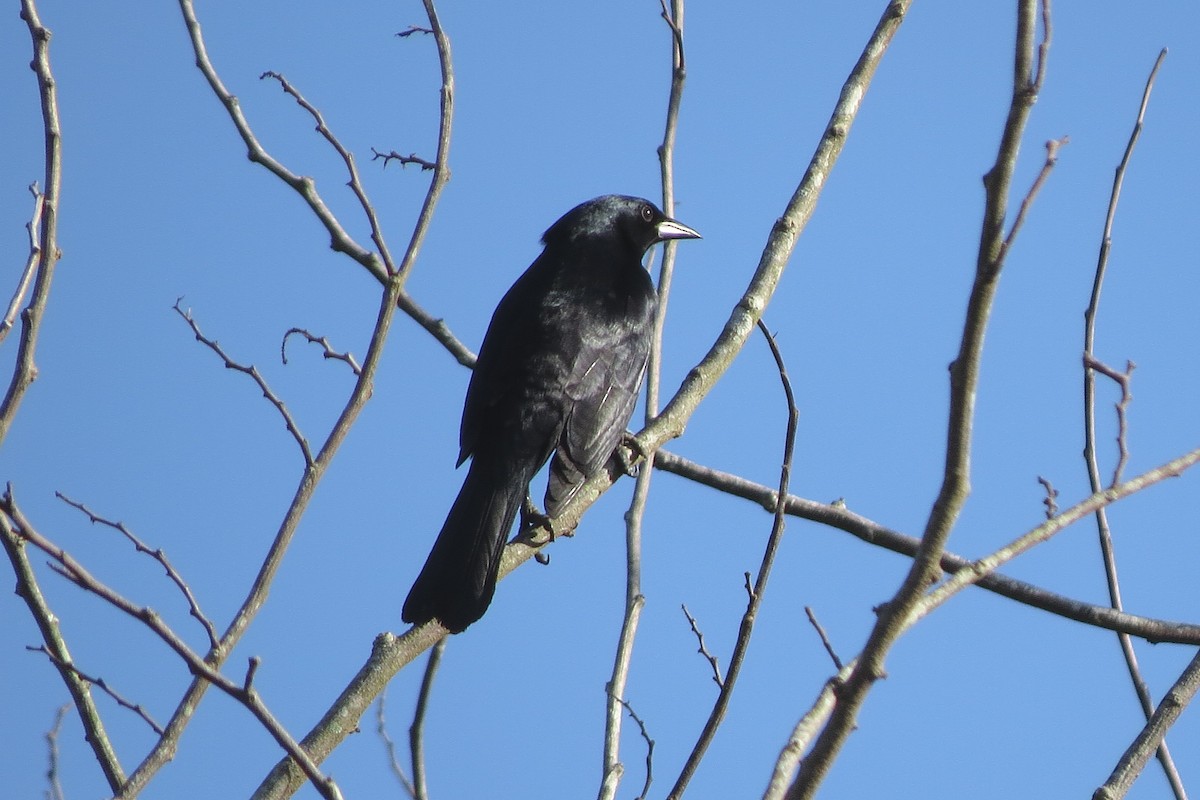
(559, 374)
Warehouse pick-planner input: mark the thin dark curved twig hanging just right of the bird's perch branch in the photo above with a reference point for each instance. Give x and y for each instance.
(757, 593)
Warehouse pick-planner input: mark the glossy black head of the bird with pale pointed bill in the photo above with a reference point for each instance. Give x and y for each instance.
(617, 218)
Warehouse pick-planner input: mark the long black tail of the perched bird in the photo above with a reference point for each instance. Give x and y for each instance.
(459, 579)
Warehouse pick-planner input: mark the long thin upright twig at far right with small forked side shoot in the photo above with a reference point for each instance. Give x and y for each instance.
(1091, 366)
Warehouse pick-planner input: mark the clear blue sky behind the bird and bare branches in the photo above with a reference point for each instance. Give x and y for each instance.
(557, 104)
